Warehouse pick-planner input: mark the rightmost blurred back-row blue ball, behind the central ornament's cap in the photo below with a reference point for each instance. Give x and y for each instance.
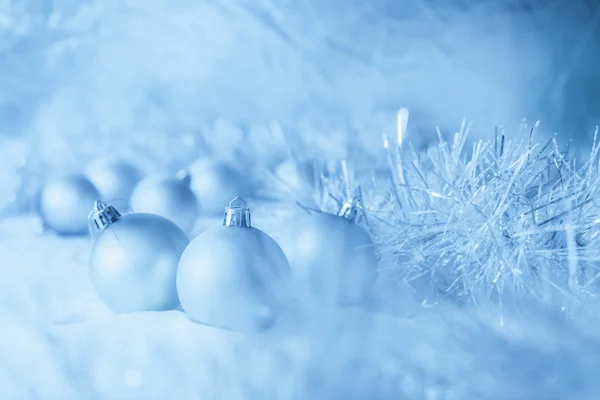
(215, 183)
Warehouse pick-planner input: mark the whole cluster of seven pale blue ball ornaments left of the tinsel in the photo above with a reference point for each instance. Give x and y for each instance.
(233, 276)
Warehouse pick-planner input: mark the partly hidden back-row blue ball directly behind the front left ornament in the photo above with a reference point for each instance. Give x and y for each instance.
(168, 197)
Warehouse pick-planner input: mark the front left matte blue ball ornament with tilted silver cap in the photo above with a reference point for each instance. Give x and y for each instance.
(133, 263)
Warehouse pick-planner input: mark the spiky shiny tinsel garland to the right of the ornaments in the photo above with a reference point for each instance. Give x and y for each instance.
(503, 220)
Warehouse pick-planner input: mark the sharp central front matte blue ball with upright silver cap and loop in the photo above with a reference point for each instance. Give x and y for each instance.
(233, 277)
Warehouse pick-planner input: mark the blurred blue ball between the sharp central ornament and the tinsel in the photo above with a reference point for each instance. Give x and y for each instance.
(332, 259)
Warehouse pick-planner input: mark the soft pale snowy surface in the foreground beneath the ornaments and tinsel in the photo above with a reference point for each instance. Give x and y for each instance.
(59, 341)
